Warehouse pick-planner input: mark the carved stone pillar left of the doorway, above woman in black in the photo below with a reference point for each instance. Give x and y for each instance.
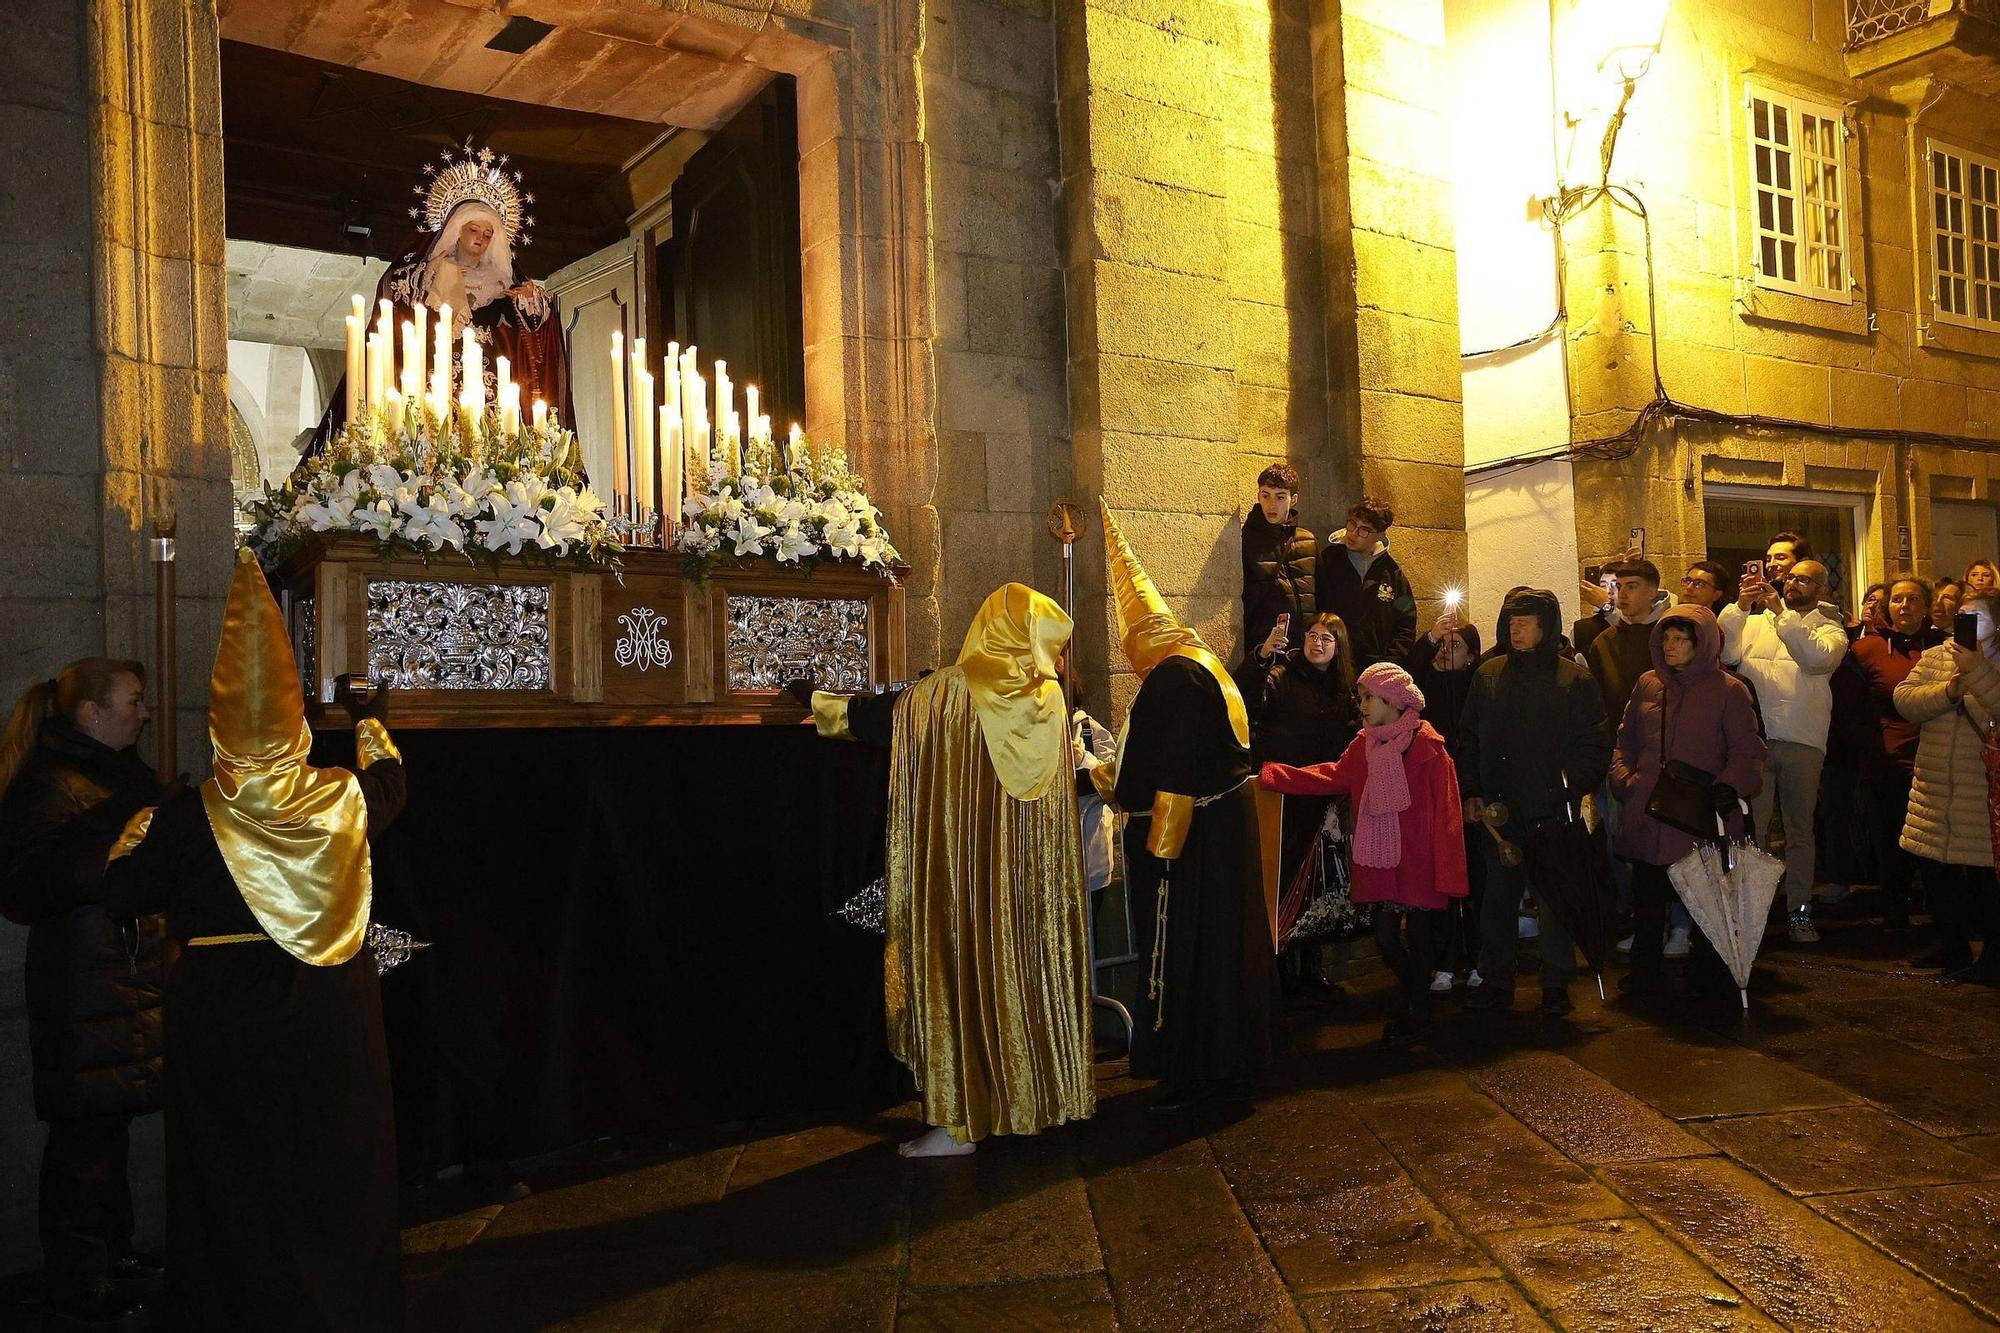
(157, 351)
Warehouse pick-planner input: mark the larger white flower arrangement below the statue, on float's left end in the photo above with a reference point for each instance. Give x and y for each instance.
(429, 485)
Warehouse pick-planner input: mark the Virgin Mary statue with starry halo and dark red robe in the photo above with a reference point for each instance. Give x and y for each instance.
(475, 219)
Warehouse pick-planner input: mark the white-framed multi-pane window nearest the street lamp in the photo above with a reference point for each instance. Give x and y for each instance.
(1789, 189)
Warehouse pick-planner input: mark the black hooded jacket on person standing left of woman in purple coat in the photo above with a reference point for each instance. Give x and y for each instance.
(1533, 734)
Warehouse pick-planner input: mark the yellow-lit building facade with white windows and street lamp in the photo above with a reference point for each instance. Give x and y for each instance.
(1751, 281)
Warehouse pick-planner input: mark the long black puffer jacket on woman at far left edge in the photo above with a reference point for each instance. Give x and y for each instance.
(93, 982)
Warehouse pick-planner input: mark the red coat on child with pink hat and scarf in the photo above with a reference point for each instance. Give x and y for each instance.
(1433, 830)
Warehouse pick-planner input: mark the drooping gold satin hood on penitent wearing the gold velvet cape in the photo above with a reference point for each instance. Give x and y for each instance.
(1011, 674)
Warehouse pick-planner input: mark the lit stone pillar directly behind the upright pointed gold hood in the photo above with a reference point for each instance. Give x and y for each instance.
(1153, 383)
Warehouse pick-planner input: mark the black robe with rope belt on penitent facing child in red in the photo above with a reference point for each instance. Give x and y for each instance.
(1221, 978)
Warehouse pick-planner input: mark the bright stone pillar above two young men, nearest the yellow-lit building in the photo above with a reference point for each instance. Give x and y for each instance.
(1391, 273)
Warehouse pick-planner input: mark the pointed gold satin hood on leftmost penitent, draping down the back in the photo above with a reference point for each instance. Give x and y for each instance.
(295, 838)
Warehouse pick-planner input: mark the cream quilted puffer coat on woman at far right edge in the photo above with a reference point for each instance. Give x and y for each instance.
(1949, 818)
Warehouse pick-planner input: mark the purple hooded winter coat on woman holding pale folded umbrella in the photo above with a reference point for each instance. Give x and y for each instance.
(1713, 728)
